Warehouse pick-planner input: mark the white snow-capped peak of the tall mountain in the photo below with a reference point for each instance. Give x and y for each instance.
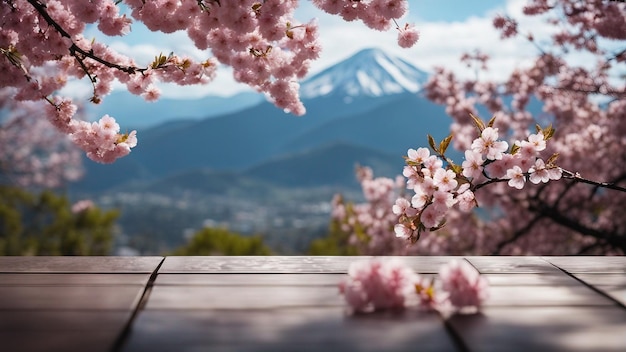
(370, 72)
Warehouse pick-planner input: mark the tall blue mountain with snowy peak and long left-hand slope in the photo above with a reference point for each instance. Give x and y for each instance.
(386, 120)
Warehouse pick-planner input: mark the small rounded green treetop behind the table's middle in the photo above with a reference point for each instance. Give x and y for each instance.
(219, 241)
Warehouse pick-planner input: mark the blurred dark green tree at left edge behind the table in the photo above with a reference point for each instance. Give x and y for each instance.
(45, 224)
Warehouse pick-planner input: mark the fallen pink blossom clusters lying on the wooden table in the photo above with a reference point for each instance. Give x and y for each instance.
(380, 284)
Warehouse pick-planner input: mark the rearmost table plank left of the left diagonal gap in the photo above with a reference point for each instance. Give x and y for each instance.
(79, 264)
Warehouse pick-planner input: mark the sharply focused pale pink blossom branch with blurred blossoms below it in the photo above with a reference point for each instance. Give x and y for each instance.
(442, 187)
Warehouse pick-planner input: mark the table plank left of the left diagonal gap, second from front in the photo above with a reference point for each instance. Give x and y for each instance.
(70, 297)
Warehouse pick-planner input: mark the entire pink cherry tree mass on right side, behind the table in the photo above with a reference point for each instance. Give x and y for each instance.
(586, 104)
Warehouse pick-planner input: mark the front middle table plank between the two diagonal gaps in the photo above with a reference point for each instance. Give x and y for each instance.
(310, 329)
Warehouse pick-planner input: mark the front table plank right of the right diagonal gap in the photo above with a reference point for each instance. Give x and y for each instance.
(543, 329)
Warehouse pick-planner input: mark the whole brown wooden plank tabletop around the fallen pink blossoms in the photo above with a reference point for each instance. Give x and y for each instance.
(292, 304)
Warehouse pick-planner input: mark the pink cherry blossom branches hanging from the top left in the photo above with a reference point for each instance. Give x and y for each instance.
(42, 48)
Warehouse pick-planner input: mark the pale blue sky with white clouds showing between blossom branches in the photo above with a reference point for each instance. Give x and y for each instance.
(448, 29)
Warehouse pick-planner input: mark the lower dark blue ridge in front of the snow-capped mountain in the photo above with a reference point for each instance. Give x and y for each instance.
(330, 165)
